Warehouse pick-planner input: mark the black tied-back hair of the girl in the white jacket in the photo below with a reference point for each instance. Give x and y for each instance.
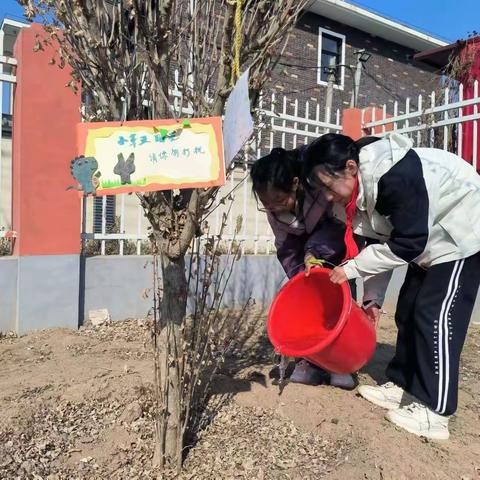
(331, 152)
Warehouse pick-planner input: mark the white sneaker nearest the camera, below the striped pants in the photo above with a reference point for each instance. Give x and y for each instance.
(420, 420)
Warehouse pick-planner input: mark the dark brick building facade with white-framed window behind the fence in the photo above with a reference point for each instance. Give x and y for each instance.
(333, 33)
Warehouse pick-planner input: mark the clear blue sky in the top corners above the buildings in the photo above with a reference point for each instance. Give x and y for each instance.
(448, 19)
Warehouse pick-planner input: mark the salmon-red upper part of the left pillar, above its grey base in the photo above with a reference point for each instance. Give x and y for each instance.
(45, 216)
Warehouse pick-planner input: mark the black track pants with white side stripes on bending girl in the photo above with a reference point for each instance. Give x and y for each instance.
(433, 312)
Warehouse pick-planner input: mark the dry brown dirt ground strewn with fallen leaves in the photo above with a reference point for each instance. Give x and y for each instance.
(78, 405)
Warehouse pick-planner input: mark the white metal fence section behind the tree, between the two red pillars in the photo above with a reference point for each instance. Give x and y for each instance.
(281, 122)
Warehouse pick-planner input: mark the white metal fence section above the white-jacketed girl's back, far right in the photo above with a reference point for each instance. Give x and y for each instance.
(446, 119)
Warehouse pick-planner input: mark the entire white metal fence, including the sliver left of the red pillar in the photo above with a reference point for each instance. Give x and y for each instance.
(440, 120)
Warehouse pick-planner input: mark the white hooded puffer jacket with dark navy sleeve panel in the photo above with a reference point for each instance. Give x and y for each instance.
(421, 204)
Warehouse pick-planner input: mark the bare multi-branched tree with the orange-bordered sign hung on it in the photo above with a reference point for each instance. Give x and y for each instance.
(124, 54)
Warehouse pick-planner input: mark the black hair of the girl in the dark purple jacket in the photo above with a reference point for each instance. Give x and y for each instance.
(276, 170)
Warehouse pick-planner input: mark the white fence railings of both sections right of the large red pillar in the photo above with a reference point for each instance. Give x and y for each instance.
(438, 120)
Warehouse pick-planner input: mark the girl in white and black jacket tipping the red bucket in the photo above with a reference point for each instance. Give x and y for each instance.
(421, 207)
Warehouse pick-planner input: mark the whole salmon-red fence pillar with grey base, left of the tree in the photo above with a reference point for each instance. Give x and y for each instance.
(45, 216)
